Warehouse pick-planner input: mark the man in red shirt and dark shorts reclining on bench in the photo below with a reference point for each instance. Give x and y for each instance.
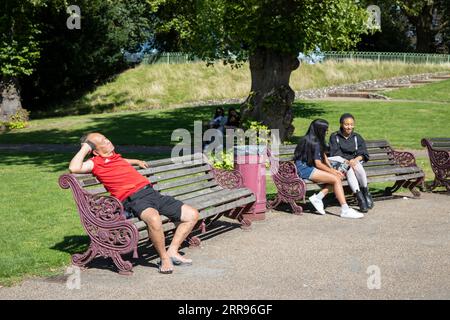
(137, 195)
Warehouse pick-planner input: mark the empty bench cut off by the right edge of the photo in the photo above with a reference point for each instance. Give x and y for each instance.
(439, 155)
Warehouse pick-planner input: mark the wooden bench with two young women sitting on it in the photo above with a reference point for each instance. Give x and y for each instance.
(385, 165)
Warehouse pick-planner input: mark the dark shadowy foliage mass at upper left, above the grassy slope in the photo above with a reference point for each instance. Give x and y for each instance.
(88, 56)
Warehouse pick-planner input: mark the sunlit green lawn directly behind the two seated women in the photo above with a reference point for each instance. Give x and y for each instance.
(403, 124)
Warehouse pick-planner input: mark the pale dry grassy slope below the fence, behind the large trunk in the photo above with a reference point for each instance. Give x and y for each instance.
(163, 85)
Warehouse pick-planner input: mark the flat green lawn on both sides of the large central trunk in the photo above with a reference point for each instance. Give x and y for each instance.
(402, 123)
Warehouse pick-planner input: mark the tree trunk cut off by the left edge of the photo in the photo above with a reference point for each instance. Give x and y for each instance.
(10, 102)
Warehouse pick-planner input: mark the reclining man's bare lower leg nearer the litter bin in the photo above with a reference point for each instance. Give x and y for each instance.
(189, 217)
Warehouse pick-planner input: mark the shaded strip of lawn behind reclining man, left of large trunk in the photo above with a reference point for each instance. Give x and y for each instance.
(137, 128)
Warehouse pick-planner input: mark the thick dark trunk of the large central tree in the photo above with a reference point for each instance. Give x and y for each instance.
(271, 97)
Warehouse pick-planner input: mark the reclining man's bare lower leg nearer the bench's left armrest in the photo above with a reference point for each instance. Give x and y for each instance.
(156, 234)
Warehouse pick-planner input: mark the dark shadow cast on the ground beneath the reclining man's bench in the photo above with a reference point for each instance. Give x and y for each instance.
(148, 257)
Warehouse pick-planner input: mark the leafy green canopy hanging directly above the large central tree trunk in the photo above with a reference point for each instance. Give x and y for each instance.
(233, 30)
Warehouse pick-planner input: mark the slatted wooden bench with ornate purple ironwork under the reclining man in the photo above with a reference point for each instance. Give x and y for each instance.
(190, 178)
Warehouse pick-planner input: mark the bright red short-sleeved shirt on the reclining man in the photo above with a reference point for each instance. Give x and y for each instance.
(118, 176)
